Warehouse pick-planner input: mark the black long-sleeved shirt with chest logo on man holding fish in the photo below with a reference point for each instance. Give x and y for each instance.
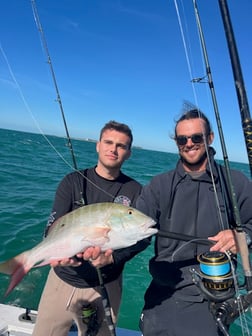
(87, 187)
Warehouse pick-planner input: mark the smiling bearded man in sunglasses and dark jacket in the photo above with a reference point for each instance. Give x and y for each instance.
(184, 201)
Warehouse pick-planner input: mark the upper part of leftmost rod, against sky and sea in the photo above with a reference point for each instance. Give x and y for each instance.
(49, 61)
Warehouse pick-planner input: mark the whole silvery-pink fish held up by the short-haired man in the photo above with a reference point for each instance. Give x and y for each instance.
(107, 225)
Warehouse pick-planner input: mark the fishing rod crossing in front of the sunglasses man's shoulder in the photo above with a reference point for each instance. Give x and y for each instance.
(239, 232)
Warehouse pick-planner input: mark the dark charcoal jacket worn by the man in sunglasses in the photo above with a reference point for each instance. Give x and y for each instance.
(183, 204)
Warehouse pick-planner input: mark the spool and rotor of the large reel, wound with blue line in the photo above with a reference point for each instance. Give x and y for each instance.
(214, 278)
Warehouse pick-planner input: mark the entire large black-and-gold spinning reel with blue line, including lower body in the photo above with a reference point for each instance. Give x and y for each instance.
(217, 283)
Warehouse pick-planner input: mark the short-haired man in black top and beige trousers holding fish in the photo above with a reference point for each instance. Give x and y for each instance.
(74, 283)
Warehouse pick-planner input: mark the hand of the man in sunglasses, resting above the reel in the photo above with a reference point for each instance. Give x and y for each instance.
(225, 241)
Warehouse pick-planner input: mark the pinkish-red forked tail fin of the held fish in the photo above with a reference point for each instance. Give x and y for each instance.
(17, 268)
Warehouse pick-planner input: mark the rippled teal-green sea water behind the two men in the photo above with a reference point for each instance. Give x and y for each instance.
(31, 168)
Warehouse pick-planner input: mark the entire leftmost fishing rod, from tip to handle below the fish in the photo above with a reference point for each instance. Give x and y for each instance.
(104, 294)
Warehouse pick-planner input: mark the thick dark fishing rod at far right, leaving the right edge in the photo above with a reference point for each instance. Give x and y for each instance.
(238, 79)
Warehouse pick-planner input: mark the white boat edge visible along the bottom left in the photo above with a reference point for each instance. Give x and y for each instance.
(17, 321)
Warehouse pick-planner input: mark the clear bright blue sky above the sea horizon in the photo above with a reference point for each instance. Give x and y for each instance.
(124, 60)
